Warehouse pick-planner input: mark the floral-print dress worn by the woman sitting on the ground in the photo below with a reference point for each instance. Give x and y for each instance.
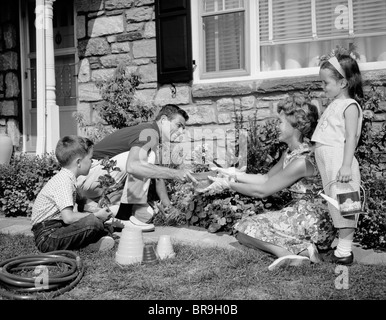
(306, 220)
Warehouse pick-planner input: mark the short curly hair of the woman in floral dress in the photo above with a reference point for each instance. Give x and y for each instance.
(301, 114)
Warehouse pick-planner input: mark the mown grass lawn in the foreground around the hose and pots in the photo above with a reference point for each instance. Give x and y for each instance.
(198, 273)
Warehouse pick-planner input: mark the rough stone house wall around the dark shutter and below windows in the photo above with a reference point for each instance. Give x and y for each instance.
(110, 31)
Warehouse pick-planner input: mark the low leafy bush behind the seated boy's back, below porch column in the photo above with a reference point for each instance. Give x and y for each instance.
(22, 180)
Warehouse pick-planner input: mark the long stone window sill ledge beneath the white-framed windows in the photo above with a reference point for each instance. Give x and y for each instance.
(274, 85)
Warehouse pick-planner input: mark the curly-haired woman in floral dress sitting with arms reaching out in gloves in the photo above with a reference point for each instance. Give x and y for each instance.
(294, 233)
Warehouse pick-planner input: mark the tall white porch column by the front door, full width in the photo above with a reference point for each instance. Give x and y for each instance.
(48, 128)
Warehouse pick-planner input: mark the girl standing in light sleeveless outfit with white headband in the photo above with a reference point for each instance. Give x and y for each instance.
(336, 137)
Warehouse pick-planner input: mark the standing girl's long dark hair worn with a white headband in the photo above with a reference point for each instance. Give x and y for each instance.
(347, 60)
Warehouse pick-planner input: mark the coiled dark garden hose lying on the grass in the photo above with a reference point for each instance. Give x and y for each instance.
(20, 287)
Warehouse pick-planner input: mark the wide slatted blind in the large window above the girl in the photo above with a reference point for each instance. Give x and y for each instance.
(284, 21)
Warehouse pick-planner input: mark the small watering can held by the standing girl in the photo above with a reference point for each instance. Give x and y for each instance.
(348, 203)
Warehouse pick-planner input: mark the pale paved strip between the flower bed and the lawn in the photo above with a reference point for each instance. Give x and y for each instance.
(189, 235)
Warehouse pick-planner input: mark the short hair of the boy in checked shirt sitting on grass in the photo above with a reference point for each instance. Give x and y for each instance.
(70, 147)
